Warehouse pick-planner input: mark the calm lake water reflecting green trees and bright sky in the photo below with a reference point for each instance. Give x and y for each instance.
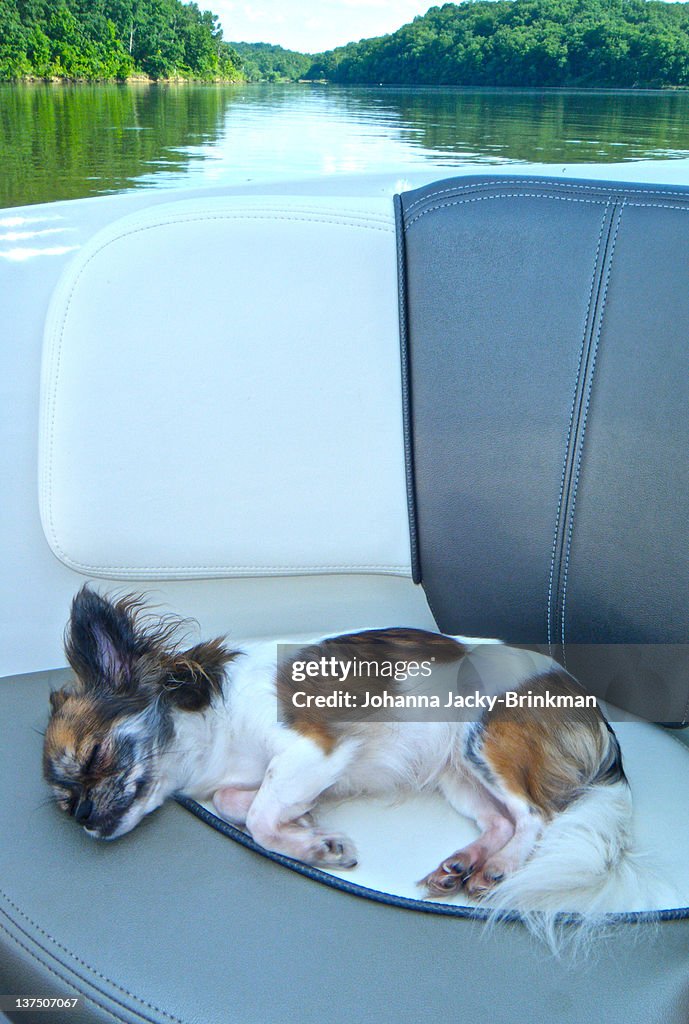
(68, 142)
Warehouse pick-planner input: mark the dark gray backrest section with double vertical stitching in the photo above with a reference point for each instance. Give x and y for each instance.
(547, 334)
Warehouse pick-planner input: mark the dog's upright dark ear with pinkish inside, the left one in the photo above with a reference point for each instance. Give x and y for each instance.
(103, 642)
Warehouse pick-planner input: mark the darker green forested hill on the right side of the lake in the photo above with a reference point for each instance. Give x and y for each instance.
(525, 44)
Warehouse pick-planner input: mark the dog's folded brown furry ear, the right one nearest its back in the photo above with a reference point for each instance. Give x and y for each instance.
(194, 677)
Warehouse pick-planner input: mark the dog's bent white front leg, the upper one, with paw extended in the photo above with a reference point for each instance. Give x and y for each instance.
(293, 783)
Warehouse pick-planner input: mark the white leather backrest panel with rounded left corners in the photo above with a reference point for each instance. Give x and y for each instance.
(222, 395)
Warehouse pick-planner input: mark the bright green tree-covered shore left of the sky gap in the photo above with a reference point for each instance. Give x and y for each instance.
(112, 39)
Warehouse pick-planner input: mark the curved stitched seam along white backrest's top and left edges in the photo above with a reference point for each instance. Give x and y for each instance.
(48, 482)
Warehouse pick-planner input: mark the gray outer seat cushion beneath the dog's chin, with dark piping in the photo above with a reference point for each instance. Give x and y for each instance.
(175, 923)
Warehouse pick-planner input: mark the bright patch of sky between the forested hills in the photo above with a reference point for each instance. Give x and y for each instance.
(313, 26)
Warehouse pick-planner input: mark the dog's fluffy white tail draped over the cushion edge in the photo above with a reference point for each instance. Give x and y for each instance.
(584, 872)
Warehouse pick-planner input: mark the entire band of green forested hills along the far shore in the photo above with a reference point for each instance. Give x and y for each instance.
(617, 44)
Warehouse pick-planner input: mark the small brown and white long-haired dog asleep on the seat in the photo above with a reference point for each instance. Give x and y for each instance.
(145, 720)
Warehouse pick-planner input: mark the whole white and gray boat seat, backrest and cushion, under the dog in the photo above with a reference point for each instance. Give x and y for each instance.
(480, 387)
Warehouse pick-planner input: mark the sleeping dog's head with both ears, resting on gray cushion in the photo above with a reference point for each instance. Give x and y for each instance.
(108, 735)
